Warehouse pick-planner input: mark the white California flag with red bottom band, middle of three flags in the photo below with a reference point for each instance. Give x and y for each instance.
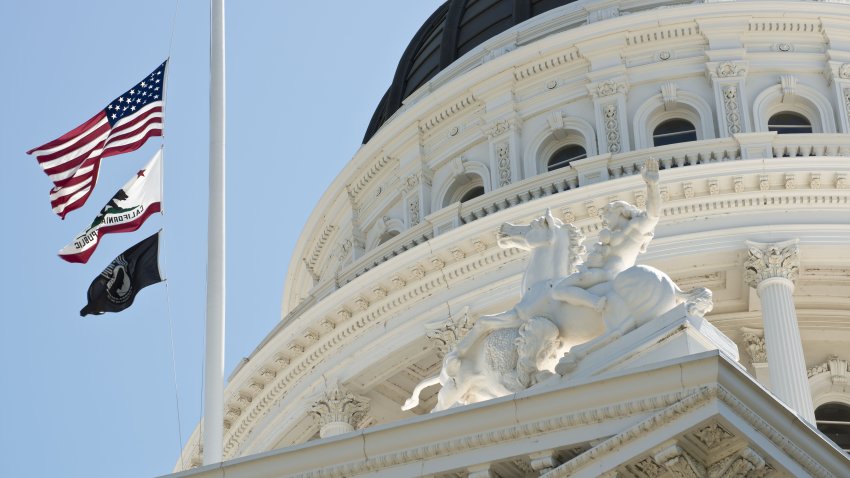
(125, 212)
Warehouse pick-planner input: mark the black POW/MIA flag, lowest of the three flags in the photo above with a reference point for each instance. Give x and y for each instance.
(116, 287)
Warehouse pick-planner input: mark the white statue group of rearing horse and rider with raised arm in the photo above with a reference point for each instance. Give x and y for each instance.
(573, 302)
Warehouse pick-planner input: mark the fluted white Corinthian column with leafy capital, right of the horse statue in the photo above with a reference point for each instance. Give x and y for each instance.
(772, 269)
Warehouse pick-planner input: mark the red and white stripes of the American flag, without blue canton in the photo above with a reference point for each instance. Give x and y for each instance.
(72, 161)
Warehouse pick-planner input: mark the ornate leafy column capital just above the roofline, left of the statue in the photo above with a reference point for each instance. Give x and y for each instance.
(338, 411)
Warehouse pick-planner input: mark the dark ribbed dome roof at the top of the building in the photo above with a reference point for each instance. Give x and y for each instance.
(455, 28)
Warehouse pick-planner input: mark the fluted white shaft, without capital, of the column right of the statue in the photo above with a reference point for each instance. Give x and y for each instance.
(784, 346)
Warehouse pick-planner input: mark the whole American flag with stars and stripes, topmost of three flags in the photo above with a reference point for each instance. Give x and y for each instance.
(72, 161)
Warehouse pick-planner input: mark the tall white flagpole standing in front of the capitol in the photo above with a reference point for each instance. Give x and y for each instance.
(214, 356)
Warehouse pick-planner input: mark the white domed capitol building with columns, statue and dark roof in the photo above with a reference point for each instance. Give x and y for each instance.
(506, 111)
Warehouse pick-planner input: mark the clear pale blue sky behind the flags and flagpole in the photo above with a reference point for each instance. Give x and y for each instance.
(94, 396)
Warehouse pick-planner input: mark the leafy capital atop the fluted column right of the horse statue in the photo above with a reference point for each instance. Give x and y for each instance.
(771, 260)
